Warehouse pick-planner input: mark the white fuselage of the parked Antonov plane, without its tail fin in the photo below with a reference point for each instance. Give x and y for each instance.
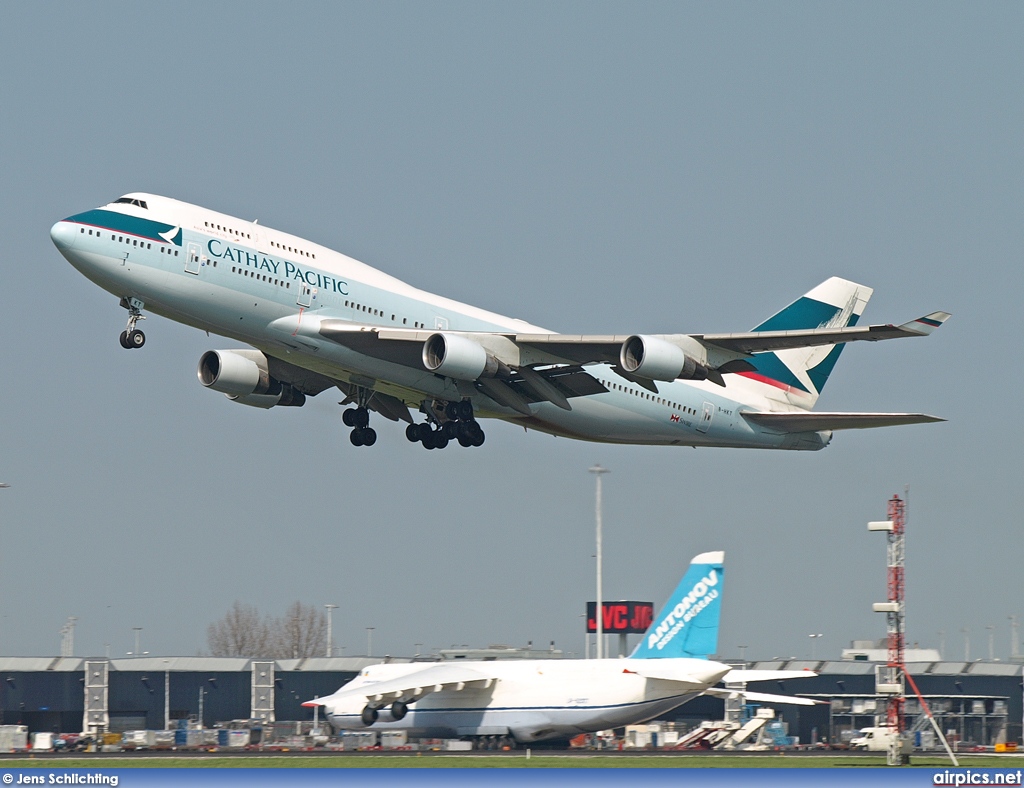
(532, 701)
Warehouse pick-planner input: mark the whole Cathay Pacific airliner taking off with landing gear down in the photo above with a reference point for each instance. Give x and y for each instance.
(316, 320)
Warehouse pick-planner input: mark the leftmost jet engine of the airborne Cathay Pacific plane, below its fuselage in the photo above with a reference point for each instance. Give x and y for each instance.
(243, 376)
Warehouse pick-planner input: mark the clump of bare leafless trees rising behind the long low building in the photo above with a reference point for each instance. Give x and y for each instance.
(244, 632)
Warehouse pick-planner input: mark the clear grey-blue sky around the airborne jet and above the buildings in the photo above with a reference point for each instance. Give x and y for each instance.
(589, 167)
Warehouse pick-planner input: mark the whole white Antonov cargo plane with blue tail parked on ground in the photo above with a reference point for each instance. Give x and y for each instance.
(538, 699)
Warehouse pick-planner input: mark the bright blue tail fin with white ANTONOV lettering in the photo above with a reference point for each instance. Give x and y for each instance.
(688, 626)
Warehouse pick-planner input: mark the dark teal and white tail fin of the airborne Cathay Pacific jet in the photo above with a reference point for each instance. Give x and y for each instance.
(803, 372)
